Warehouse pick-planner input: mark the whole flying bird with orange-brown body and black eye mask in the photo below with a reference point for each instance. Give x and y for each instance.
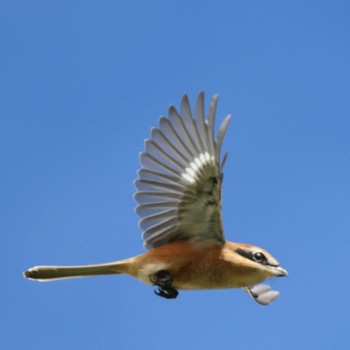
(179, 203)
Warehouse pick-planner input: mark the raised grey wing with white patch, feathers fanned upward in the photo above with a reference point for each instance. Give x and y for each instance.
(179, 184)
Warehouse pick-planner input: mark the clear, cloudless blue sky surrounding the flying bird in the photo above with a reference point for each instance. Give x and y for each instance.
(82, 83)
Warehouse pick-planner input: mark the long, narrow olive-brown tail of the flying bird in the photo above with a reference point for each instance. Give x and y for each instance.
(49, 273)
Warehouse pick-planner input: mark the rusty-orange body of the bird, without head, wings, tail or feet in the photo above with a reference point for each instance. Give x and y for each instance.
(193, 267)
